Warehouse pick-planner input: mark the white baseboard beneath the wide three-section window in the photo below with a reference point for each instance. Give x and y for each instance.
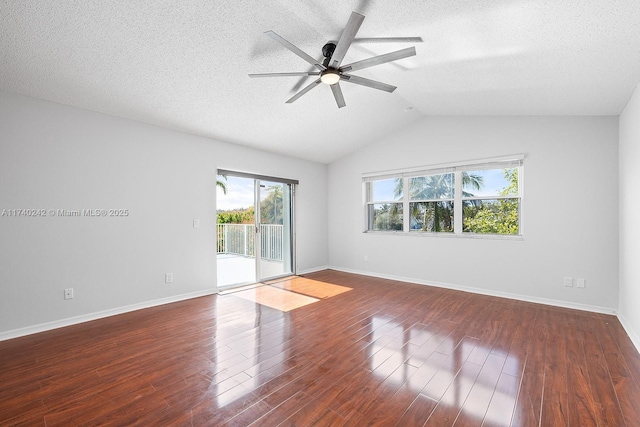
(519, 297)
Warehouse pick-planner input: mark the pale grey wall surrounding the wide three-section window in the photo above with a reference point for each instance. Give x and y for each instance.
(570, 210)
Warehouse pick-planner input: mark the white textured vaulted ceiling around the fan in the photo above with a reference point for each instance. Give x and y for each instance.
(183, 64)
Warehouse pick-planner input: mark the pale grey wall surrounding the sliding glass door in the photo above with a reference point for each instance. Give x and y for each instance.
(59, 157)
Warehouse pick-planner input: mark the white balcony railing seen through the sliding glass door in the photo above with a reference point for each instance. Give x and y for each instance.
(238, 239)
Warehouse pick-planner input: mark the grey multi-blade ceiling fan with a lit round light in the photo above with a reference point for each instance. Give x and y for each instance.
(331, 72)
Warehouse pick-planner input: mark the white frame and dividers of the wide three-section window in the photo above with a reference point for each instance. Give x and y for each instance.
(506, 162)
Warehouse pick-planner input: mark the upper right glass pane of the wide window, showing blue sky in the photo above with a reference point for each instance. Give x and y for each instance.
(492, 182)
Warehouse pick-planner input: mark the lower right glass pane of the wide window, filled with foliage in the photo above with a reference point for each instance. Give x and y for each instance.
(491, 216)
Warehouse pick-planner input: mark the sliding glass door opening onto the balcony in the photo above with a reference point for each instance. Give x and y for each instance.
(255, 230)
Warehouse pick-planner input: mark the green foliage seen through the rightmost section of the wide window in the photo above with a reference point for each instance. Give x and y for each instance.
(496, 216)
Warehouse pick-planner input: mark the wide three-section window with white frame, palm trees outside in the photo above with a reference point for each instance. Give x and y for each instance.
(476, 198)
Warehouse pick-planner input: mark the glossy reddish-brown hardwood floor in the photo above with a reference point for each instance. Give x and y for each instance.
(384, 353)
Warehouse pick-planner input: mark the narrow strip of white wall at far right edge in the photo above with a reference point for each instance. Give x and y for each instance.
(629, 224)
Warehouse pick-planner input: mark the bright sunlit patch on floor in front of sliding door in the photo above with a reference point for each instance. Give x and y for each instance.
(290, 293)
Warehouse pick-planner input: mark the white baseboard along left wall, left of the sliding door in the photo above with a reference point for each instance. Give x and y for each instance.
(42, 327)
